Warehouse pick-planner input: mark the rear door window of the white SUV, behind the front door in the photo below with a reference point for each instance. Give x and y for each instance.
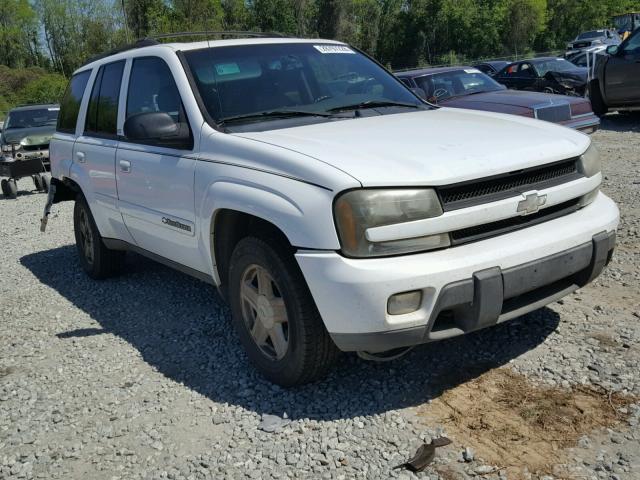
(102, 113)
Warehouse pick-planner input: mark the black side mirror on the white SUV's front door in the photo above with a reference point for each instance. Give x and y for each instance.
(157, 128)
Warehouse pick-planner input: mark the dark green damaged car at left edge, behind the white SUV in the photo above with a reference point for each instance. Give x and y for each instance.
(27, 131)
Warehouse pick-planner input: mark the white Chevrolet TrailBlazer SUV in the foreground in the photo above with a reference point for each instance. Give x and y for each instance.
(331, 206)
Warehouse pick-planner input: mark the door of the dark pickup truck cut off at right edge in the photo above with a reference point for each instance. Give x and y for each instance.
(622, 74)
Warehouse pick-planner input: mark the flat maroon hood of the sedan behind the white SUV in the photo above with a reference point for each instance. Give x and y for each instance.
(514, 98)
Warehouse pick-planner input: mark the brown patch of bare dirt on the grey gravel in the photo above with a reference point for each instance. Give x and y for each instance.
(516, 425)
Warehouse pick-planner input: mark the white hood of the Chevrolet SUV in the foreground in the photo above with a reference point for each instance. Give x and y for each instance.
(433, 147)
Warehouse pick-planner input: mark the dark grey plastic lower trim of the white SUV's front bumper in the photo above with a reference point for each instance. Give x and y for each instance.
(493, 295)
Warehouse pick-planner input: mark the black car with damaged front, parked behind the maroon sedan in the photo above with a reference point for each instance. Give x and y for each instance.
(545, 74)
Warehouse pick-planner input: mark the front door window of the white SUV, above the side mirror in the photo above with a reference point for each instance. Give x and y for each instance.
(152, 89)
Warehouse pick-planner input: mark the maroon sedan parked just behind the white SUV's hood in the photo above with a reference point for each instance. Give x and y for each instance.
(467, 87)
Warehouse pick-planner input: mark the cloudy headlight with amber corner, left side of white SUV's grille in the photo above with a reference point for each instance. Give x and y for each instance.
(357, 210)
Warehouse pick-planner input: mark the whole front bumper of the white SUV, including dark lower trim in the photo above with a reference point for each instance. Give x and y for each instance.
(463, 288)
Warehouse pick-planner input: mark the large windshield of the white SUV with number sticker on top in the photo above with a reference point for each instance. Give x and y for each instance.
(251, 82)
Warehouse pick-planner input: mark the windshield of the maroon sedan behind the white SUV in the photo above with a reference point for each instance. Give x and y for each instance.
(441, 86)
